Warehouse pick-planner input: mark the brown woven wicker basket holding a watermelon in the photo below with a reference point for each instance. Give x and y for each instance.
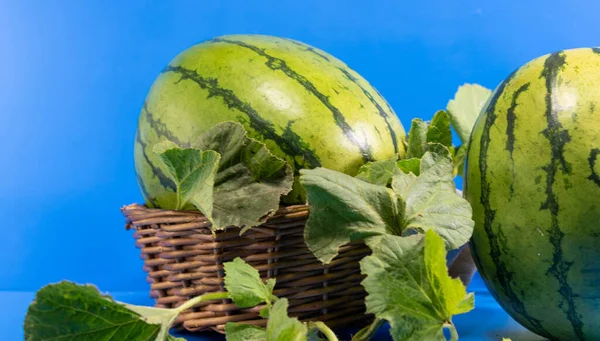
(184, 259)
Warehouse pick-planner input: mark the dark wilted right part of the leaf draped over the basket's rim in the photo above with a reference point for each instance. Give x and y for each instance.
(250, 180)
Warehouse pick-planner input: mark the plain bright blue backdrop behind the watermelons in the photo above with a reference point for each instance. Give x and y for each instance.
(74, 74)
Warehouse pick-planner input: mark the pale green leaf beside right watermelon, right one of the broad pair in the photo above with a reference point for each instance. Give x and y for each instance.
(432, 202)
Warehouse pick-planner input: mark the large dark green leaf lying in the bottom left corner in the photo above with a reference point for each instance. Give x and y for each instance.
(68, 311)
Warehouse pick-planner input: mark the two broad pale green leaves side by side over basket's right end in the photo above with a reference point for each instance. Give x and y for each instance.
(345, 209)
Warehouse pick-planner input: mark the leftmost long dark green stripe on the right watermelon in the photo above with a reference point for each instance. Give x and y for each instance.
(498, 242)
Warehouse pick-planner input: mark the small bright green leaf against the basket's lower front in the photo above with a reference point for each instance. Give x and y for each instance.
(244, 285)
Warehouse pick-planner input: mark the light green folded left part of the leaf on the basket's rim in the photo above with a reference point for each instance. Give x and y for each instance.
(193, 171)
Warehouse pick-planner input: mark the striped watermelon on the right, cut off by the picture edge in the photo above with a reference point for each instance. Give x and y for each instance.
(533, 179)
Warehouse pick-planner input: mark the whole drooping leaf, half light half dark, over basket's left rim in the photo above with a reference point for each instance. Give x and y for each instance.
(232, 179)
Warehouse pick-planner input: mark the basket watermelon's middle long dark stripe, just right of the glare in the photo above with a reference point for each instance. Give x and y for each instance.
(274, 63)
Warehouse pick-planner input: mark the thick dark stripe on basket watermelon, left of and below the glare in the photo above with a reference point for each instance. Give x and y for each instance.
(290, 143)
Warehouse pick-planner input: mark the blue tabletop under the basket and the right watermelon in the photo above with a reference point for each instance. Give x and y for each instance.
(487, 322)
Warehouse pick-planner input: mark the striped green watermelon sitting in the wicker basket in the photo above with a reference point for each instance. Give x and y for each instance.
(307, 106)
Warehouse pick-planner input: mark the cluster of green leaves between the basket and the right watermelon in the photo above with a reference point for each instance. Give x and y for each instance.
(409, 213)
